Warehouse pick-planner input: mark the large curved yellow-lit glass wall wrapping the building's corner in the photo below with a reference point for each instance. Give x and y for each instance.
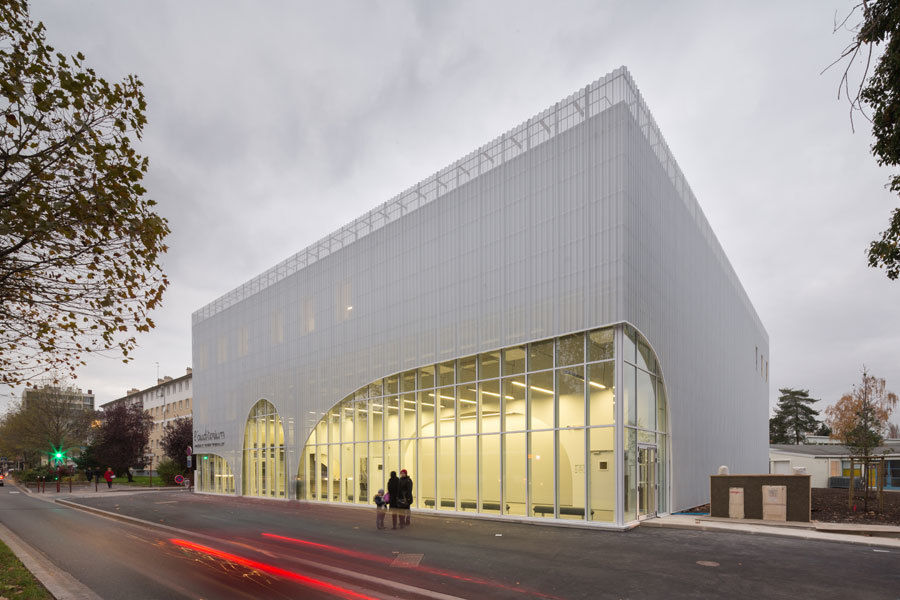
(526, 431)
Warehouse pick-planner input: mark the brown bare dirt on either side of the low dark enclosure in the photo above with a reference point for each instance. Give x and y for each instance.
(831, 506)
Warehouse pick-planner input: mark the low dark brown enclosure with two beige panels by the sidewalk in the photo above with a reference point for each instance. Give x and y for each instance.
(770, 497)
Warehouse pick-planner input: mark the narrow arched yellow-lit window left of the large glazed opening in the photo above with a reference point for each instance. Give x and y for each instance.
(264, 468)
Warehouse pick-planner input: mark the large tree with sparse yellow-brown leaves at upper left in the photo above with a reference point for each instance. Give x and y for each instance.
(79, 239)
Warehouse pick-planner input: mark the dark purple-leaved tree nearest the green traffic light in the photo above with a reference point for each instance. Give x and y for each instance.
(123, 438)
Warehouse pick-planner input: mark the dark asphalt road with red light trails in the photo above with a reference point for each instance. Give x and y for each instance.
(462, 558)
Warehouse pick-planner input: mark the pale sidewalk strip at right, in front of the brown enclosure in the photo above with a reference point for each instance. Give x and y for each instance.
(884, 536)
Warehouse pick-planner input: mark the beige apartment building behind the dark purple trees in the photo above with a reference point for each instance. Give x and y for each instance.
(166, 401)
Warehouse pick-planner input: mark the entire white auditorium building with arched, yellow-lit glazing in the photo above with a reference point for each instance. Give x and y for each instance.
(547, 329)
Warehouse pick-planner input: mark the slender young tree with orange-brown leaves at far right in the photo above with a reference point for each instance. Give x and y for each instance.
(860, 418)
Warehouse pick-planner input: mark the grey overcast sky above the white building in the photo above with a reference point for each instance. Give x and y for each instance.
(274, 123)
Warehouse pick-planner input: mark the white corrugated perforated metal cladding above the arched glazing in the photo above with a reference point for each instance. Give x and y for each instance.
(587, 224)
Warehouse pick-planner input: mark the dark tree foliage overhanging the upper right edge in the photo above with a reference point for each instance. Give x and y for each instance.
(879, 90)
